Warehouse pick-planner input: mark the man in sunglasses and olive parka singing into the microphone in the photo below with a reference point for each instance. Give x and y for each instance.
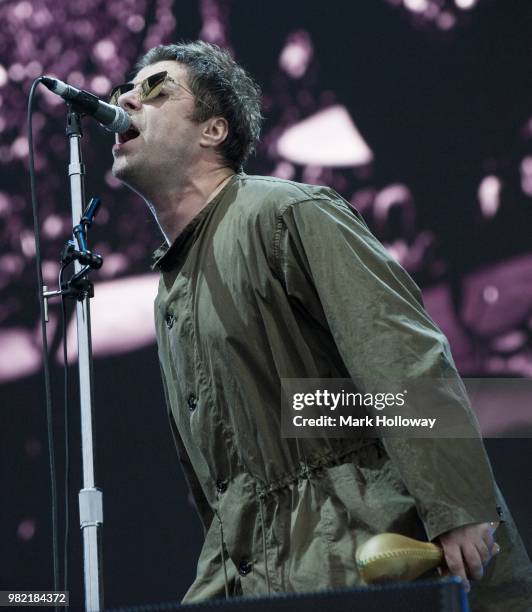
(264, 279)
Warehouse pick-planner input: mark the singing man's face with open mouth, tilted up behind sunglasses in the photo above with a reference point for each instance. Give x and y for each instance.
(167, 144)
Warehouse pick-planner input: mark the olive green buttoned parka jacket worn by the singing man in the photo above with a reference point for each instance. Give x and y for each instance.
(271, 280)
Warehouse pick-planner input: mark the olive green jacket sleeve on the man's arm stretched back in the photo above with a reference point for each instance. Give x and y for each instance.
(374, 310)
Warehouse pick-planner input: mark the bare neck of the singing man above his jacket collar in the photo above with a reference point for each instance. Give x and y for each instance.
(174, 206)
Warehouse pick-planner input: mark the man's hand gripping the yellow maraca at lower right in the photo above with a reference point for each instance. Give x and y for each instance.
(468, 549)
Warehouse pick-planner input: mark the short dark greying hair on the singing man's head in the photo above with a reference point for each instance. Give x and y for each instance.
(225, 89)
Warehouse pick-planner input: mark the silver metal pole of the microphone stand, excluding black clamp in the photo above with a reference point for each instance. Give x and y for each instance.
(90, 498)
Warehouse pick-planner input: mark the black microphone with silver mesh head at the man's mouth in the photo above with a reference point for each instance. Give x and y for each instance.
(113, 118)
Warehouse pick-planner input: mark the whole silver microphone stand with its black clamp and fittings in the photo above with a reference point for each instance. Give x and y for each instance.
(79, 287)
